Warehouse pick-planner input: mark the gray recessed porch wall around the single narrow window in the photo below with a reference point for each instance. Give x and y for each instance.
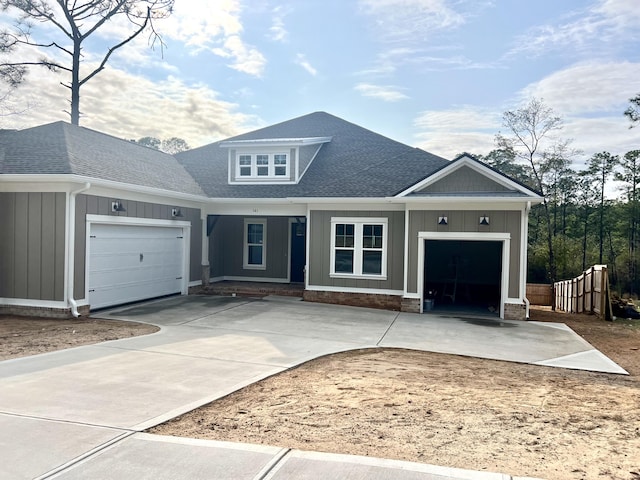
(226, 248)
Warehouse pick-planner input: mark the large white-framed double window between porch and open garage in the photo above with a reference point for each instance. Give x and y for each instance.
(359, 247)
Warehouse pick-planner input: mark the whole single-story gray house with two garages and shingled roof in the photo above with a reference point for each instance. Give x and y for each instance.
(89, 221)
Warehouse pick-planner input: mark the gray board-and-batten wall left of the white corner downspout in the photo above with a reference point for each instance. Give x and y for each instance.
(32, 245)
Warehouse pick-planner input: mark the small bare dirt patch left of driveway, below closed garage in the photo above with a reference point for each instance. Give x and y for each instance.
(22, 336)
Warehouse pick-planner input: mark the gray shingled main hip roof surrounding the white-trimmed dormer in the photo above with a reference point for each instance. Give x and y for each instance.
(355, 163)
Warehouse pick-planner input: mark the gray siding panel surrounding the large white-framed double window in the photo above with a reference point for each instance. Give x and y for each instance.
(320, 250)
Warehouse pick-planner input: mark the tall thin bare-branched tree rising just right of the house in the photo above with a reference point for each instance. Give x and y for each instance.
(530, 129)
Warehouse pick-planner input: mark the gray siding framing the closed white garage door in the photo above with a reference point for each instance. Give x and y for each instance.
(93, 205)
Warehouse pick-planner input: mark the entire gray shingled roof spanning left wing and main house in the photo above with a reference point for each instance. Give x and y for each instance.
(355, 163)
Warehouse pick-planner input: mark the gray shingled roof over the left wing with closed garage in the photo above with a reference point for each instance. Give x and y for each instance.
(61, 148)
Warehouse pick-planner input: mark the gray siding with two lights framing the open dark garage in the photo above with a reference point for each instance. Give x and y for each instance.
(465, 221)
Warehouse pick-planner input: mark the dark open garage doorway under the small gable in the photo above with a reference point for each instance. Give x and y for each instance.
(463, 276)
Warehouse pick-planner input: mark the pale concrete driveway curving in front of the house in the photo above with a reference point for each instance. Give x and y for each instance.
(77, 413)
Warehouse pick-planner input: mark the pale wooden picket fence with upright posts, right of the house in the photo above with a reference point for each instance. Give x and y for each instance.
(587, 293)
